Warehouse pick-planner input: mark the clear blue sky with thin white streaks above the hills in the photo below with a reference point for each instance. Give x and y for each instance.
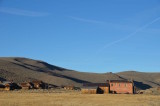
(85, 35)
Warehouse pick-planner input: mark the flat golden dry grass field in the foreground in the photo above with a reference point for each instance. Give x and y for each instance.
(76, 99)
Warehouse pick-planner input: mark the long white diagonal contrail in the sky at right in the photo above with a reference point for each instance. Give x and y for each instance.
(128, 36)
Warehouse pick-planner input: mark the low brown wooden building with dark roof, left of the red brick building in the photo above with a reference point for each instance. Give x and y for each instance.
(95, 88)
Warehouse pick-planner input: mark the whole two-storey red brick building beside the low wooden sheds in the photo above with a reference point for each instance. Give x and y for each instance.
(121, 86)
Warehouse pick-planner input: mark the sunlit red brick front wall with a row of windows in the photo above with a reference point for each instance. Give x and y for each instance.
(121, 87)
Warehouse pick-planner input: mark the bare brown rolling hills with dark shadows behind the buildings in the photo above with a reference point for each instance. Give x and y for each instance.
(24, 69)
